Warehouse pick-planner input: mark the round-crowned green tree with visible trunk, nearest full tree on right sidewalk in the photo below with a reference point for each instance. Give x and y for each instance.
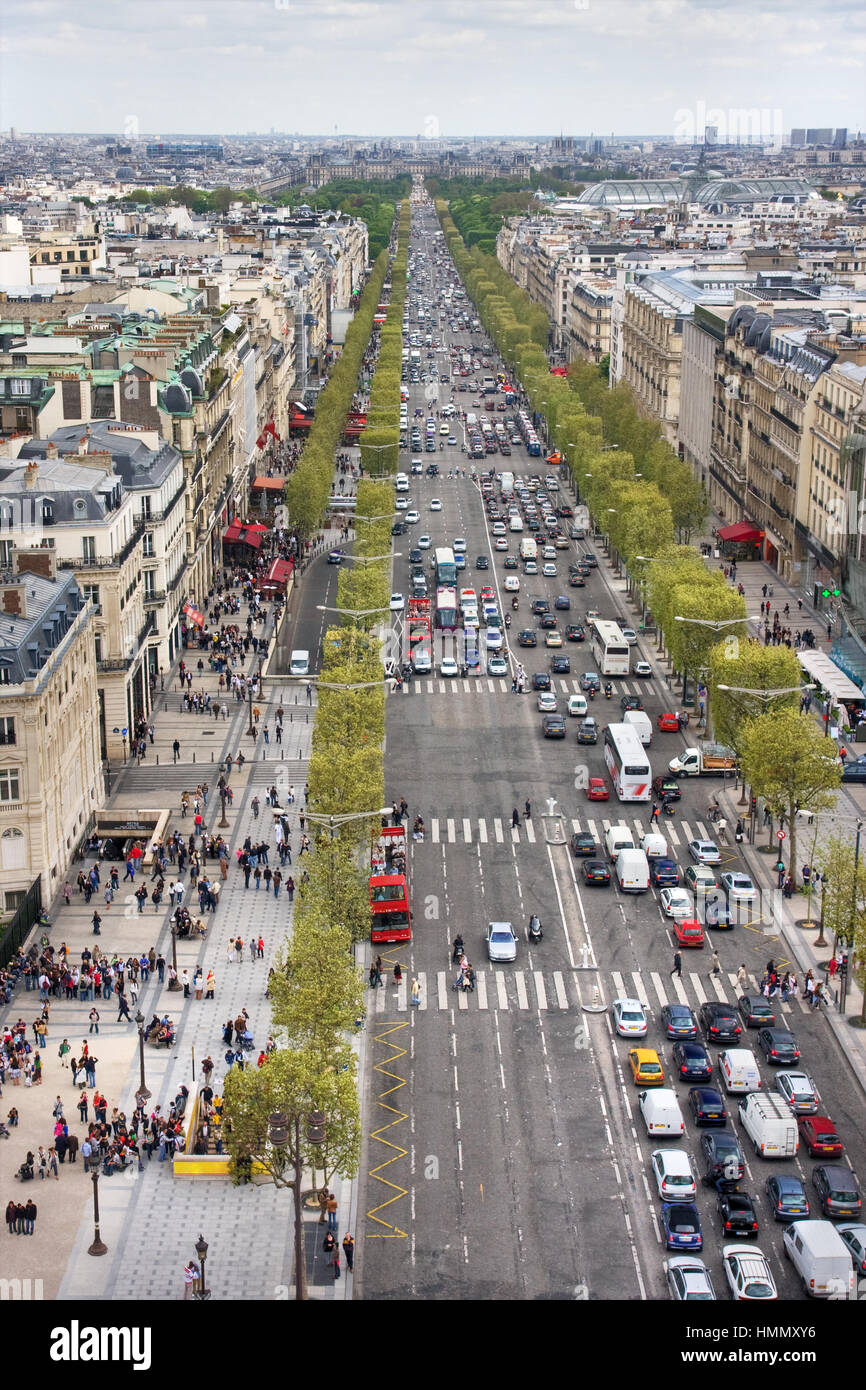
(786, 761)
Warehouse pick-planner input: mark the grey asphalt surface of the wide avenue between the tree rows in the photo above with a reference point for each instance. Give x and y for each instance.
(507, 1154)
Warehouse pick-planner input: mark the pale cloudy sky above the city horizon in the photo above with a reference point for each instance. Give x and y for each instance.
(455, 67)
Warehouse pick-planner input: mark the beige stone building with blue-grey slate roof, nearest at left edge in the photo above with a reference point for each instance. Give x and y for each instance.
(51, 771)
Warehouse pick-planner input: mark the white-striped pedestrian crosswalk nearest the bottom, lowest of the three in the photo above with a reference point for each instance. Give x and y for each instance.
(508, 990)
